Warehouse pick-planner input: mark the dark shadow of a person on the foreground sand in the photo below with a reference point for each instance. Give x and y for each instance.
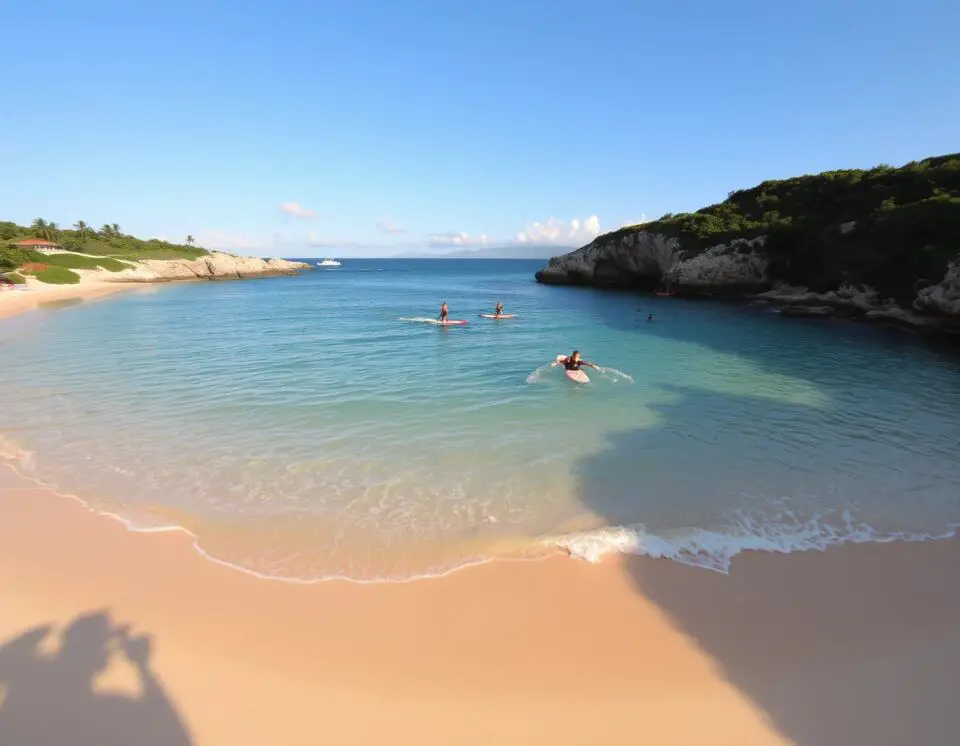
(51, 698)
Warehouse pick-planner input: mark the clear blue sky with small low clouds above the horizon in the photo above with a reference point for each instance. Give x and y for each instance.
(367, 128)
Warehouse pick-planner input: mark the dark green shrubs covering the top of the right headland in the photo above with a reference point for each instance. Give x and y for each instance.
(894, 229)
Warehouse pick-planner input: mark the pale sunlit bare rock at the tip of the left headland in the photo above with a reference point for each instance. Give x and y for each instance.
(214, 266)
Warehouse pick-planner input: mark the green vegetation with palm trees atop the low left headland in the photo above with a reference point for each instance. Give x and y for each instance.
(109, 241)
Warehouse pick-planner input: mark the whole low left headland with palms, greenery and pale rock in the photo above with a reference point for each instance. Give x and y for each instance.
(44, 254)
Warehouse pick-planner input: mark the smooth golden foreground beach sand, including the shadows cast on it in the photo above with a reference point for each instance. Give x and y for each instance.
(112, 637)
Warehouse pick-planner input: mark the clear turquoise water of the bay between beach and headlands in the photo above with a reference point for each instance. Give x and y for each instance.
(300, 429)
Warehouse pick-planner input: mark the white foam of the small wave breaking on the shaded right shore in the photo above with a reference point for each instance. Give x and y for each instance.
(714, 550)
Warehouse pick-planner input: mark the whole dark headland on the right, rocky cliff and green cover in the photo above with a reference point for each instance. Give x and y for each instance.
(882, 243)
